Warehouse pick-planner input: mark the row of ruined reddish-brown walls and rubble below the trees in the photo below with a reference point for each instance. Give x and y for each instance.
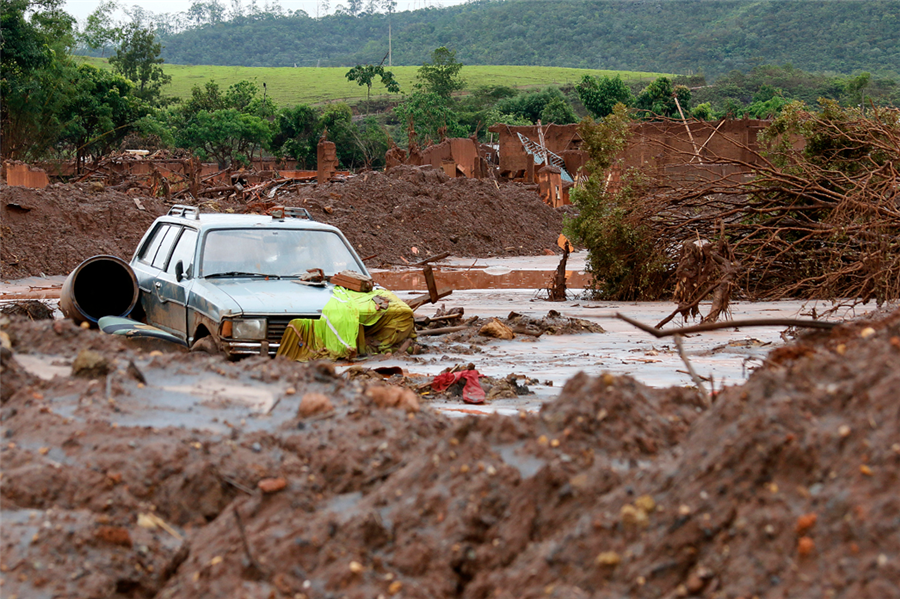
(550, 157)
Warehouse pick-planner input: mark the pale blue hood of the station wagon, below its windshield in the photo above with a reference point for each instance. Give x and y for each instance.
(260, 296)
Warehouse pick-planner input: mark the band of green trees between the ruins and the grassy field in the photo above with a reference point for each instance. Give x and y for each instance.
(56, 108)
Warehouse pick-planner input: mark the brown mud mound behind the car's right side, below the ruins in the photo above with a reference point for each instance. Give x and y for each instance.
(389, 214)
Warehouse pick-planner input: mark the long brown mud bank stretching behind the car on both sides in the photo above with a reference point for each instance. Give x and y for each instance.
(405, 215)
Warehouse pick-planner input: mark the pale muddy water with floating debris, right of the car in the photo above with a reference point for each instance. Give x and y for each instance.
(723, 357)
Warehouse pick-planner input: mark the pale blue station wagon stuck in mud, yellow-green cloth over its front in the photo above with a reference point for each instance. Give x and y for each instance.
(234, 283)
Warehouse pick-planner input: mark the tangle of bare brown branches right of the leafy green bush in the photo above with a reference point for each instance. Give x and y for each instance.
(817, 215)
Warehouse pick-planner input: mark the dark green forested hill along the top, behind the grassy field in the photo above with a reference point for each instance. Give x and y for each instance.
(841, 36)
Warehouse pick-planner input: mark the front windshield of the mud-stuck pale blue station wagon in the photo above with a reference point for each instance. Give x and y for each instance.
(274, 252)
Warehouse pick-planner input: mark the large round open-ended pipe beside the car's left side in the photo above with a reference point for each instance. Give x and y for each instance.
(100, 286)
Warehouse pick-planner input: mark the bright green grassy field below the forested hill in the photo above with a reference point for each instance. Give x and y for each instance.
(291, 86)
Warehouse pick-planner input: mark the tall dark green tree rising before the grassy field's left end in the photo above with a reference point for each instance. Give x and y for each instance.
(137, 58)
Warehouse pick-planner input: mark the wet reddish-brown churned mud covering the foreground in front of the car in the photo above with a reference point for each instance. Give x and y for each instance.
(123, 484)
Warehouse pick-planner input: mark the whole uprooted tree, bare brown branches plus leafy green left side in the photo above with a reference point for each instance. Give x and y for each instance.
(817, 217)
